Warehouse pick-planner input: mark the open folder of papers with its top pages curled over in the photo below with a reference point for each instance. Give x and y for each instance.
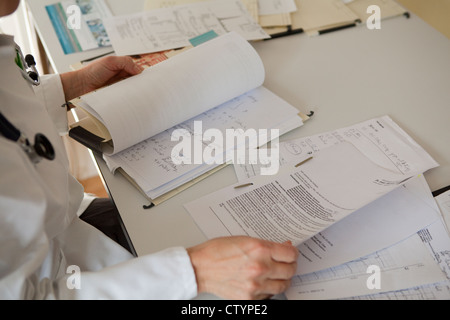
(217, 85)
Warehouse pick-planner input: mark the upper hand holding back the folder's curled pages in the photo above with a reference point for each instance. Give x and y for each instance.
(100, 73)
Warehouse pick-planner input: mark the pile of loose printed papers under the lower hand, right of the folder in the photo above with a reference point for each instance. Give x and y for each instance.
(345, 211)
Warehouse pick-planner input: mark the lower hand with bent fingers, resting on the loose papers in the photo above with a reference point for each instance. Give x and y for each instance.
(243, 267)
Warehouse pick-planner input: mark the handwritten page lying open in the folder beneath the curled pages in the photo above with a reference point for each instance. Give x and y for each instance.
(149, 162)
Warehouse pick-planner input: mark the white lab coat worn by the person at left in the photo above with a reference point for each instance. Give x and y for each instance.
(40, 233)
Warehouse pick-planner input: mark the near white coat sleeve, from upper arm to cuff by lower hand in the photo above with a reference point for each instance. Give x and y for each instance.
(26, 247)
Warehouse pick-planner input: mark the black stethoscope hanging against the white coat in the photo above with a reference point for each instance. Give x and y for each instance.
(42, 147)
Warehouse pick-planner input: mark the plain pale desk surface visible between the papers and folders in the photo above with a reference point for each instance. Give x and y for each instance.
(345, 77)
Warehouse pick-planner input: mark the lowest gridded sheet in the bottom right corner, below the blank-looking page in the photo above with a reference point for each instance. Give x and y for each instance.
(405, 265)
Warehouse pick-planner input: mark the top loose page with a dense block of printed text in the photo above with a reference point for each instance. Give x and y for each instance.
(299, 202)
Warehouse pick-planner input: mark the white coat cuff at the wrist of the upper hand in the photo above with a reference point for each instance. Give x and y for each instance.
(51, 94)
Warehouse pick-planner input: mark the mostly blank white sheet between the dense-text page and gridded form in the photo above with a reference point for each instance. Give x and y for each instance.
(382, 223)
